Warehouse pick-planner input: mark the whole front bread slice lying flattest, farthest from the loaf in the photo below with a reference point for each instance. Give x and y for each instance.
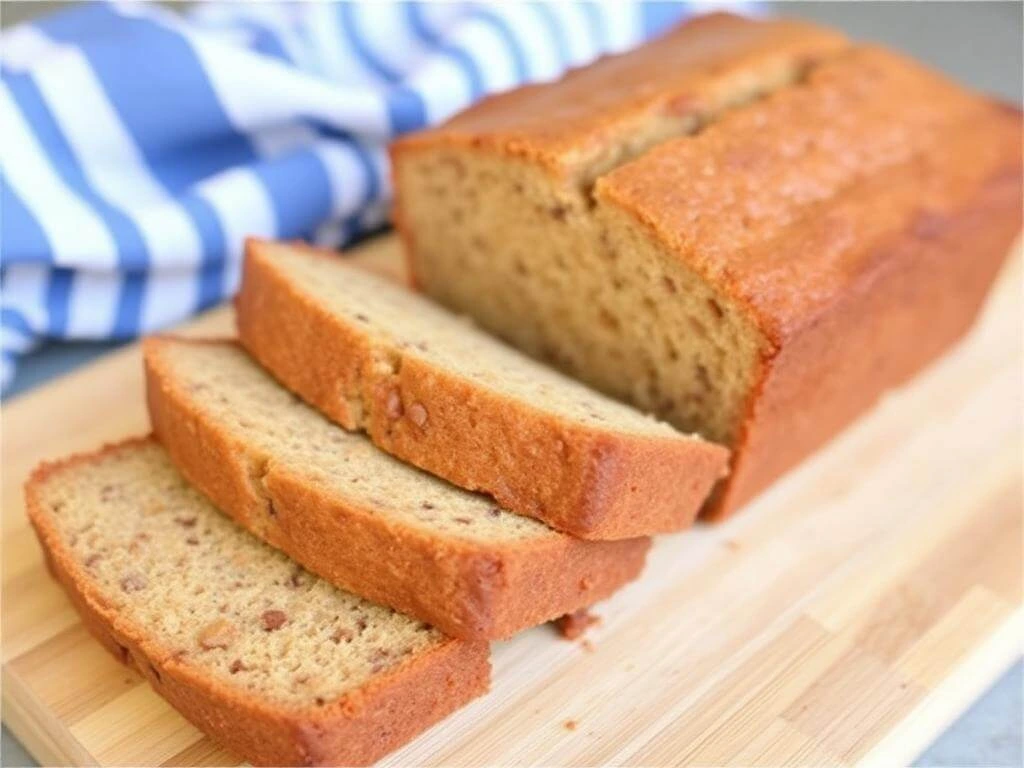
(272, 662)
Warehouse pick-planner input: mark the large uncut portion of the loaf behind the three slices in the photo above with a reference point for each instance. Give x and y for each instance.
(746, 228)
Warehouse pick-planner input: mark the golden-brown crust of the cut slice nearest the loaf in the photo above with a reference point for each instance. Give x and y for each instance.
(591, 484)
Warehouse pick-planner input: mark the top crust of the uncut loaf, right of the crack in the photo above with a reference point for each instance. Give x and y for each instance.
(783, 205)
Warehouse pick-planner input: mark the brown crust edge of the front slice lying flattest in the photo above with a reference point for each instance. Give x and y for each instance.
(358, 729)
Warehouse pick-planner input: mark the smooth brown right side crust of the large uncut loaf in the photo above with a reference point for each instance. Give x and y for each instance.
(925, 288)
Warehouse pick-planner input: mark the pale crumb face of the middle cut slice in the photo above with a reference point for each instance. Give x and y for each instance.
(238, 395)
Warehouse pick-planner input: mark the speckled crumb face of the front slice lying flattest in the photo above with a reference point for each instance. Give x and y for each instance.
(211, 595)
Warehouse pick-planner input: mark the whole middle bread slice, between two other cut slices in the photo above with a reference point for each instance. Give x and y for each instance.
(359, 518)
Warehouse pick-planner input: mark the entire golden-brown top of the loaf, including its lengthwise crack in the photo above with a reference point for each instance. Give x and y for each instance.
(778, 160)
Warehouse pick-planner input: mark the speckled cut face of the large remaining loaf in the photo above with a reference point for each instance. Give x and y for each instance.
(593, 295)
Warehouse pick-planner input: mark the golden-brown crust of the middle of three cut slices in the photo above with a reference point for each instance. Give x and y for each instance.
(466, 589)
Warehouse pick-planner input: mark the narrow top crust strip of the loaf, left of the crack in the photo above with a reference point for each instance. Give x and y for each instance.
(697, 69)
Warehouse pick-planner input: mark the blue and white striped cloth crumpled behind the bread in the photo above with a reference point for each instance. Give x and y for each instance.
(142, 146)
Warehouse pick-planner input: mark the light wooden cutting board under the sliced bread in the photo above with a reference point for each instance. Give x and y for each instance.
(846, 617)
